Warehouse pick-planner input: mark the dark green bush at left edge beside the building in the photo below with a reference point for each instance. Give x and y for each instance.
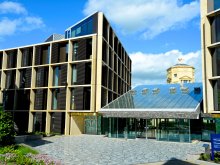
(7, 132)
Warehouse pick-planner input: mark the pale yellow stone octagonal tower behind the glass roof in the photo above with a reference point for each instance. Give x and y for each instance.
(180, 73)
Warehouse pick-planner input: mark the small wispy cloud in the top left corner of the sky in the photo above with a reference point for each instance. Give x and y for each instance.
(12, 7)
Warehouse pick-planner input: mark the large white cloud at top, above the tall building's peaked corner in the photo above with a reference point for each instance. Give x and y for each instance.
(151, 18)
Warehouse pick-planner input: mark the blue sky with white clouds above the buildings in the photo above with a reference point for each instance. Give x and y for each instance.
(155, 33)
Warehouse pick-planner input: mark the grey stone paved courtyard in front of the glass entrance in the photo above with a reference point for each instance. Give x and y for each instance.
(94, 149)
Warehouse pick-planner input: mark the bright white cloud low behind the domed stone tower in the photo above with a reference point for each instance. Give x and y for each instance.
(151, 68)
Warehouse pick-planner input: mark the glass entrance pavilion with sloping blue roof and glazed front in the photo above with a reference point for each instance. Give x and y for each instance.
(169, 112)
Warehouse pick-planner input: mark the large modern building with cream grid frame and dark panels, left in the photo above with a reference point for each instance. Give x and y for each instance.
(61, 84)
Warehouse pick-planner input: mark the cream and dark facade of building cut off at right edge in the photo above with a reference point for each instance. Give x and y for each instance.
(210, 30)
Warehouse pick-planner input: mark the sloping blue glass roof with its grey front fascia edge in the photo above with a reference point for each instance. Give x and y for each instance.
(158, 101)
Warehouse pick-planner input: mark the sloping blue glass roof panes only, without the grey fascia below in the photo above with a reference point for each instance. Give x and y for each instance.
(165, 96)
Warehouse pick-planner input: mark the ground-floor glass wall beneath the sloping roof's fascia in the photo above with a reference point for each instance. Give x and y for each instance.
(176, 130)
